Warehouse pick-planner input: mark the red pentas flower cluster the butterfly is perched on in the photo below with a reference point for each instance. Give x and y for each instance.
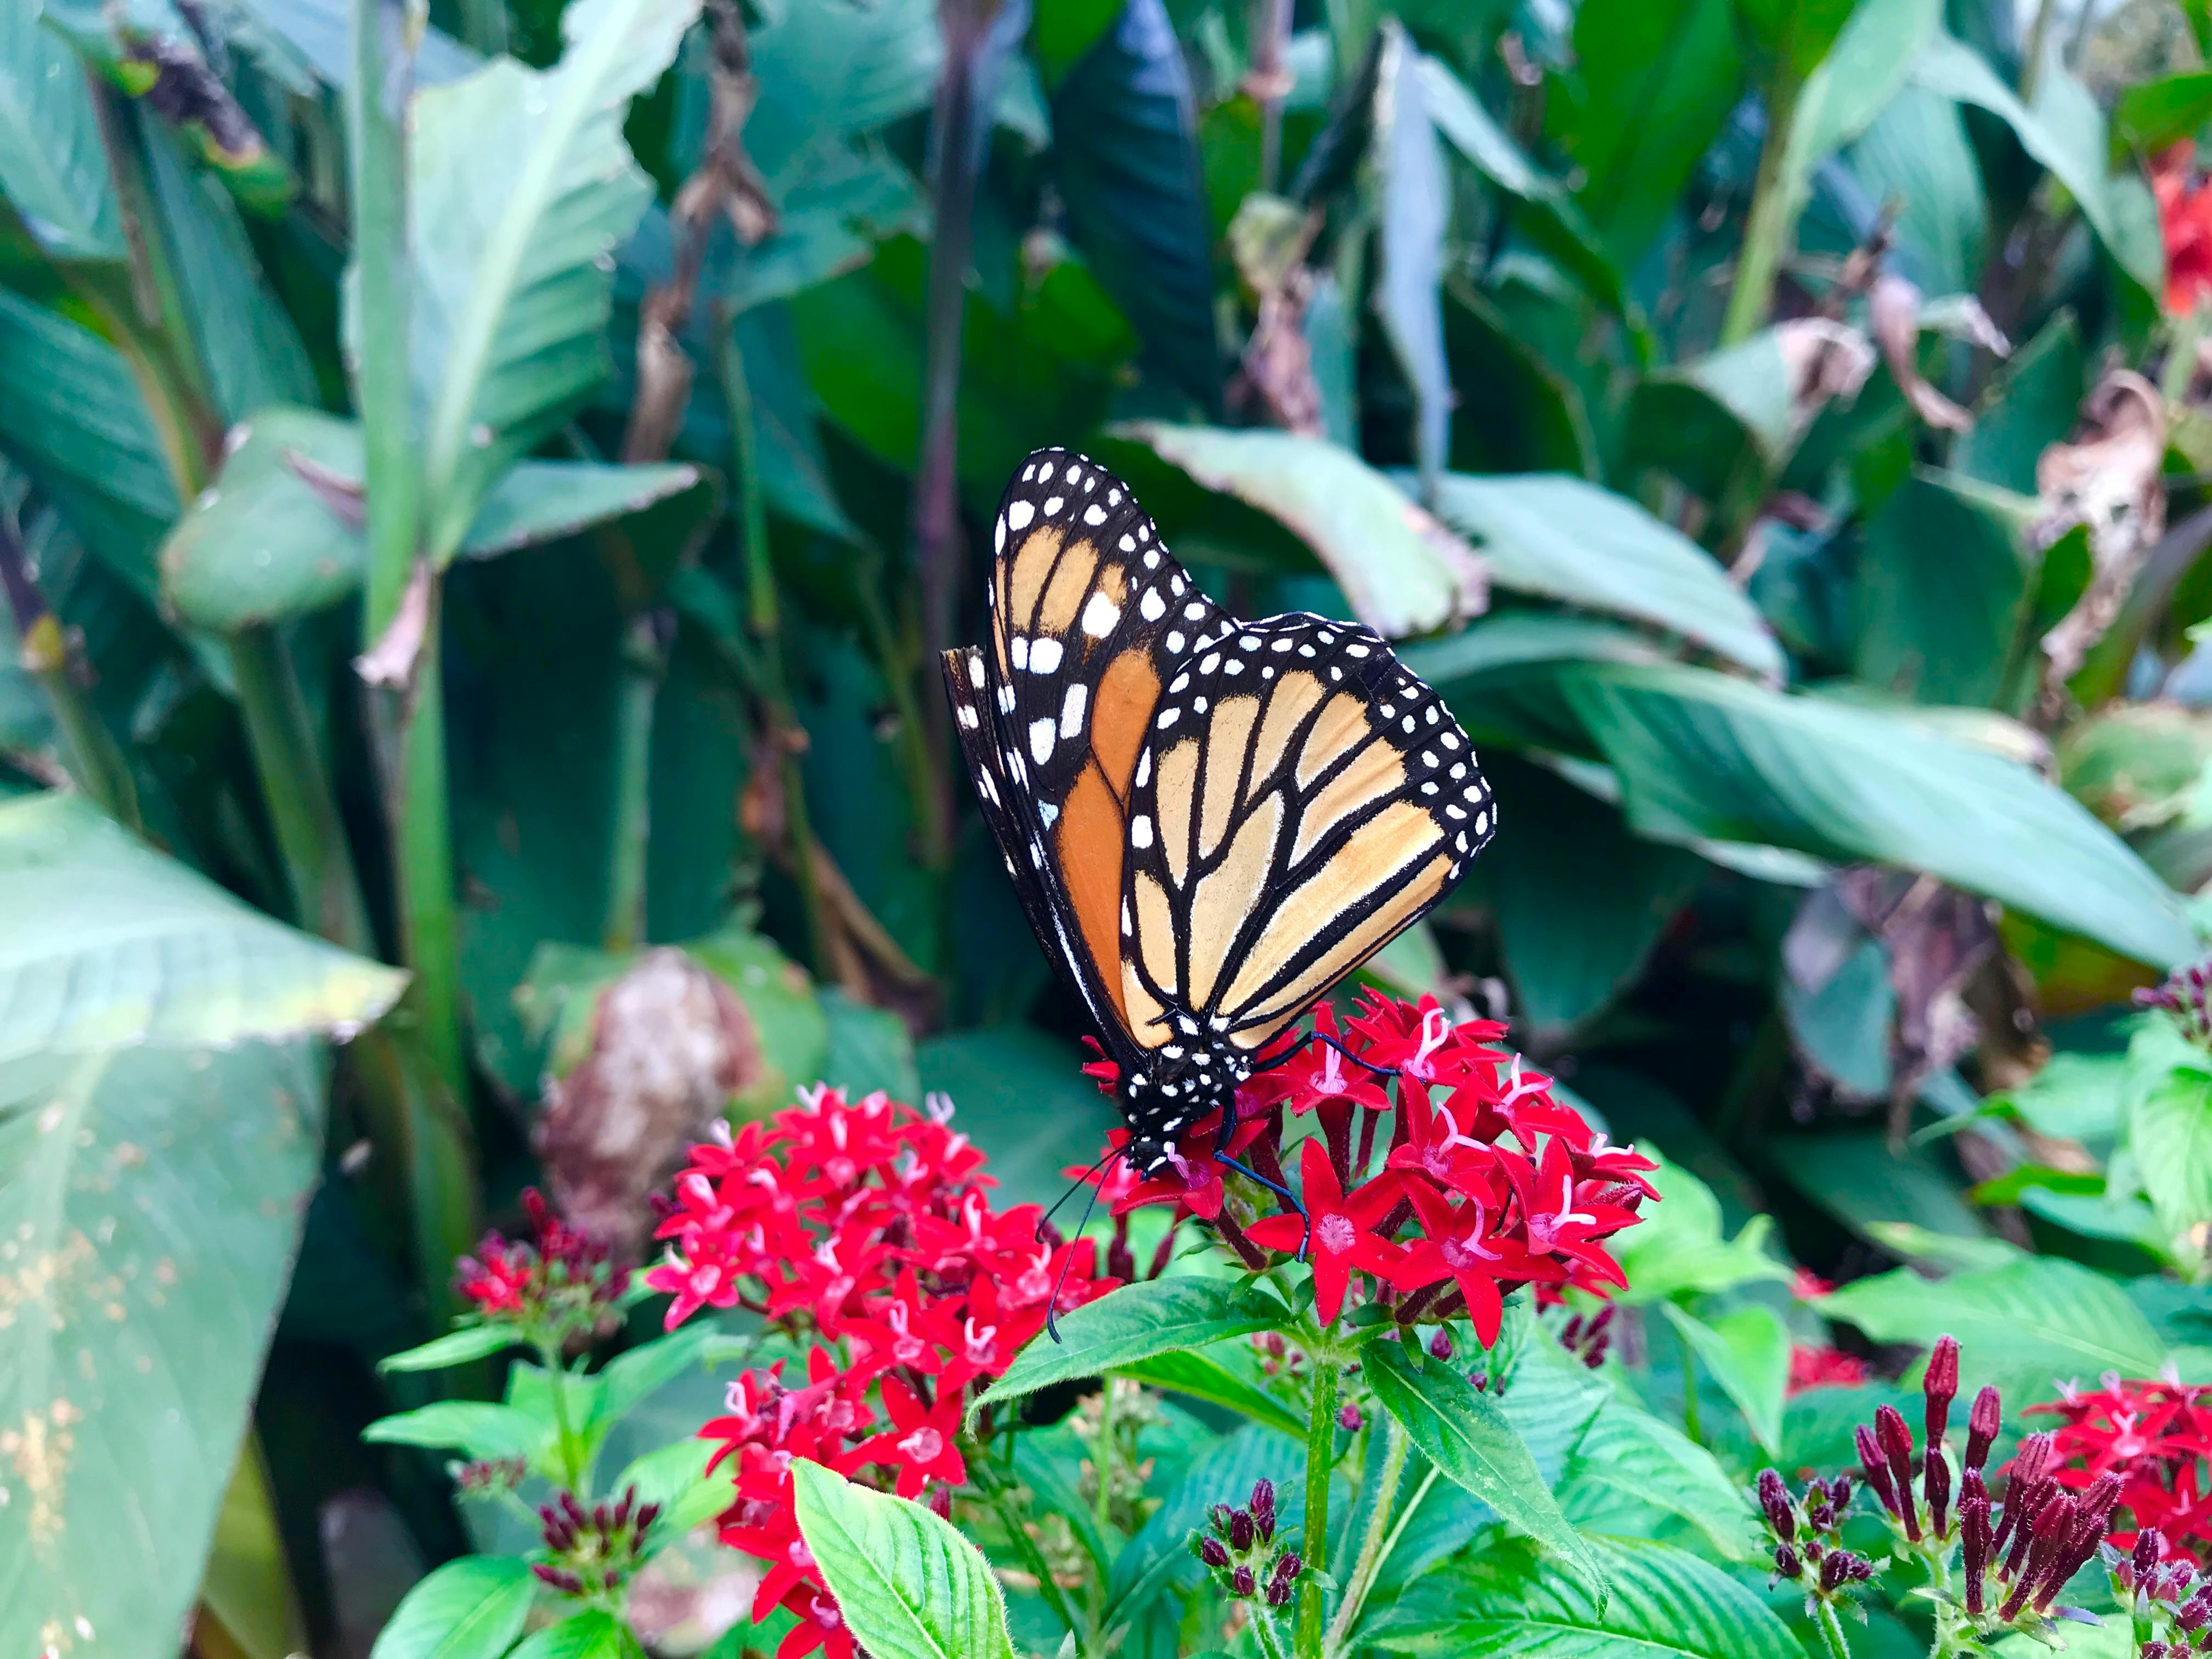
(1481, 1185)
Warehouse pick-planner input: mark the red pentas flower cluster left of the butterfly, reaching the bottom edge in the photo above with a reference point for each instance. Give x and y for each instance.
(866, 1233)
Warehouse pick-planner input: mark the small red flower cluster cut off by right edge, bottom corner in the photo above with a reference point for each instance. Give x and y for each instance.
(2156, 1437)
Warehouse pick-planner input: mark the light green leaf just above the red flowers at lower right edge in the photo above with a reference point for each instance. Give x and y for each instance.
(2021, 1326)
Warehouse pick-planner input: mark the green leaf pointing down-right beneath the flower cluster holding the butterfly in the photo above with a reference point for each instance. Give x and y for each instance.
(1474, 1446)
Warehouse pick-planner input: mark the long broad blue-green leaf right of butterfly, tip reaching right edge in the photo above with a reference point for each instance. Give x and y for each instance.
(1707, 755)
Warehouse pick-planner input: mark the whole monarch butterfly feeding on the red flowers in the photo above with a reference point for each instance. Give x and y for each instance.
(1209, 822)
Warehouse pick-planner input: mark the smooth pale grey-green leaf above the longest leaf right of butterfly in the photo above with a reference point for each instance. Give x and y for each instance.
(1583, 545)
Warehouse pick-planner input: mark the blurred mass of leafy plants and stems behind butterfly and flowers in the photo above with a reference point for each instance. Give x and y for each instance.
(479, 497)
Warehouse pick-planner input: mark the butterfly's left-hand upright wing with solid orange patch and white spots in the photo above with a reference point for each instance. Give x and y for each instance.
(1089, 618)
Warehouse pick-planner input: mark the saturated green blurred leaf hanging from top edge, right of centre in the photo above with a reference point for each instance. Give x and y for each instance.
(1651, 87)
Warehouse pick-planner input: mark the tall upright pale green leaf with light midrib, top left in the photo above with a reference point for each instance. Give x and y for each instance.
(521, 191)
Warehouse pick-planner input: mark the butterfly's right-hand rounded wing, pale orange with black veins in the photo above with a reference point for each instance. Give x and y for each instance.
(1300, 802)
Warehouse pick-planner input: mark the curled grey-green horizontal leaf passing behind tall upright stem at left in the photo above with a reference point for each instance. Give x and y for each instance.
(280, 534)
